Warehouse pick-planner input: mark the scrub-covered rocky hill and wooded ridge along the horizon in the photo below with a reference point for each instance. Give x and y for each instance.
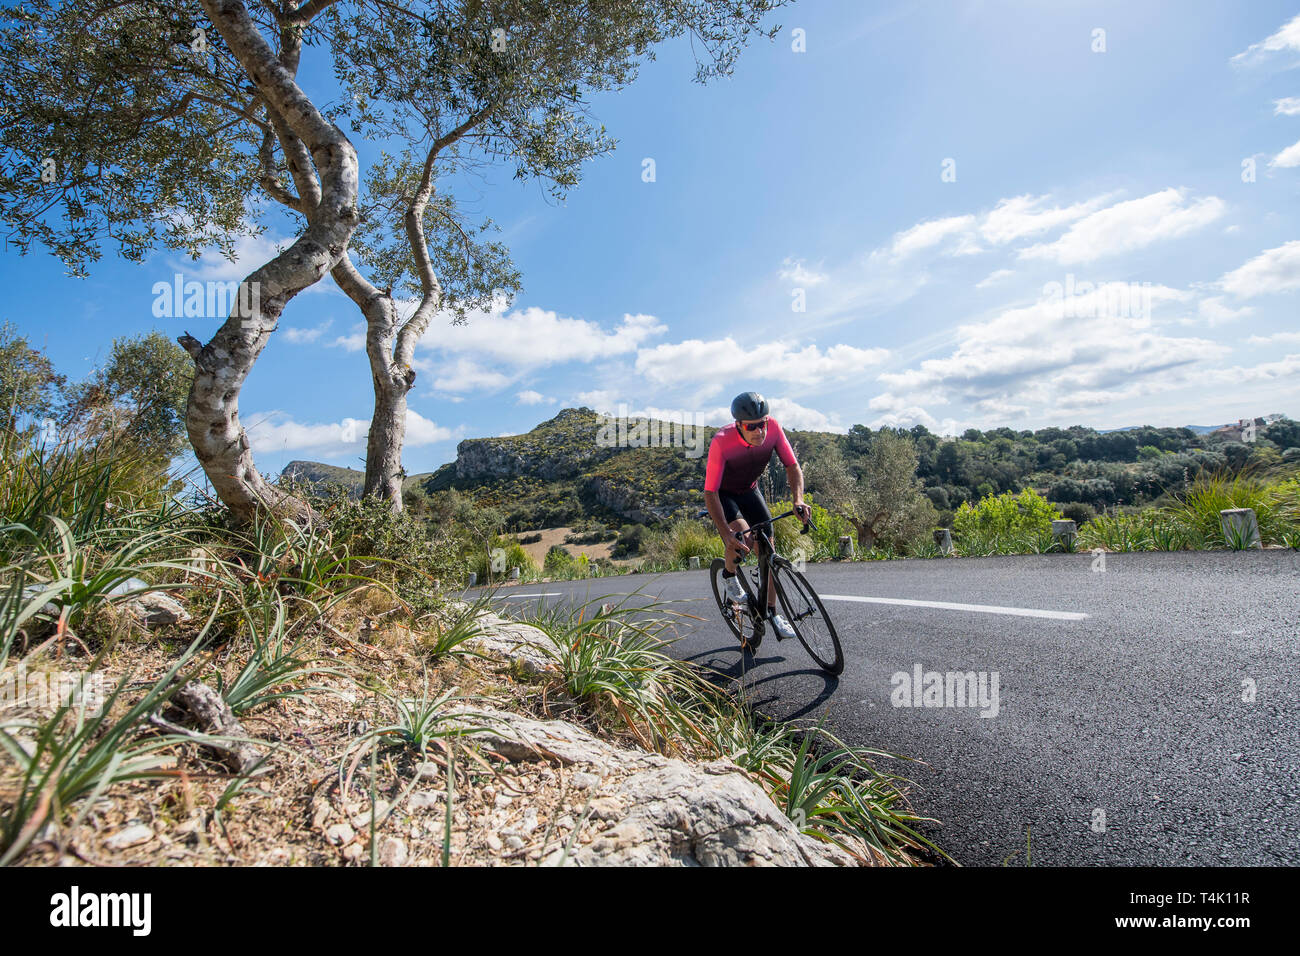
(583, 466)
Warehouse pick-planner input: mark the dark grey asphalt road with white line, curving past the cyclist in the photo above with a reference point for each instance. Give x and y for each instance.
(1147, 713)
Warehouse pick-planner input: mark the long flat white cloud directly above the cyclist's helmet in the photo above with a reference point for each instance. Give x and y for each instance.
(696, 360)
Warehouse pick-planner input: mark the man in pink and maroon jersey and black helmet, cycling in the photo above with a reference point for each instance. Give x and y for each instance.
(738, 456)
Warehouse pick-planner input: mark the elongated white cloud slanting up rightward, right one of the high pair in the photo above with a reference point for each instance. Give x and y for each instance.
(1130, 226)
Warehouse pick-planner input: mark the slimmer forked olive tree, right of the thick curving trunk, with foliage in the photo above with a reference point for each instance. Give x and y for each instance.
(470, 84)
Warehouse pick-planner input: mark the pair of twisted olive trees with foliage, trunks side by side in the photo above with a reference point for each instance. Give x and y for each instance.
(179, 114)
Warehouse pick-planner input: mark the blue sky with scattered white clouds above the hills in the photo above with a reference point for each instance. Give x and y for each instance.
(899, 224)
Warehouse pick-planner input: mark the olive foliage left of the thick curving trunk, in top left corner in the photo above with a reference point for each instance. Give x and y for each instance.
(115, 133)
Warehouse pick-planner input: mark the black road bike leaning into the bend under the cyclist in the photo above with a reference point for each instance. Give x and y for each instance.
(795, 595)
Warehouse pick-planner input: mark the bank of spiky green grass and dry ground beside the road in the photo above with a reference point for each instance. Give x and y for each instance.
(283, 624)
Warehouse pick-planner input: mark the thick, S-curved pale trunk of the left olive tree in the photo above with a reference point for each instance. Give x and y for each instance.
(222, 366)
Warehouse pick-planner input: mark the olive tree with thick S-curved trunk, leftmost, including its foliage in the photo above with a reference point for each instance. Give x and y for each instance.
(142, 123)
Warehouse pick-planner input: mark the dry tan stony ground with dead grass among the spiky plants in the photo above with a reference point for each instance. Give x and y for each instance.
(294, 814)
